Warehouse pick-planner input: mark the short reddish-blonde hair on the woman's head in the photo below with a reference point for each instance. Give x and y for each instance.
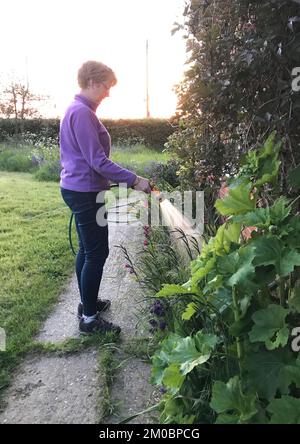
(96, 71)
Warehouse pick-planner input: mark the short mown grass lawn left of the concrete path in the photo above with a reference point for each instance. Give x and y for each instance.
(35, 259)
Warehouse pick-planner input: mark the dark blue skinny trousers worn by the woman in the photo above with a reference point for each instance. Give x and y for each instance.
(93, 245)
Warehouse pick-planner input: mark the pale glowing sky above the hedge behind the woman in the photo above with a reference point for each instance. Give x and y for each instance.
(48, 40)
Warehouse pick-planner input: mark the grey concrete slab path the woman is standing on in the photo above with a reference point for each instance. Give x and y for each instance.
(67, 389)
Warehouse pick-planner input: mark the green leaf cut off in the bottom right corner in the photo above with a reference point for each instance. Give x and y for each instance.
(285, 410)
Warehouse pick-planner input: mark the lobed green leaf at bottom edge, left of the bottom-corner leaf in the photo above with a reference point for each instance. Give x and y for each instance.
(231, 404)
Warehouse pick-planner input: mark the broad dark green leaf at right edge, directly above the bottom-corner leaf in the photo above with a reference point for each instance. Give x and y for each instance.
(269, 371)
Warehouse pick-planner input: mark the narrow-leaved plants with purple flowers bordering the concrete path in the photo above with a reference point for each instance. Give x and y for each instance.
(158, 262)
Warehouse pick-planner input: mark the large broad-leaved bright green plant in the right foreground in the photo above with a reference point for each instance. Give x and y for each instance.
(230, 359)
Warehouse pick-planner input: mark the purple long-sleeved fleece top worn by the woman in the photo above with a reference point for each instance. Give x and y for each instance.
(84, 151)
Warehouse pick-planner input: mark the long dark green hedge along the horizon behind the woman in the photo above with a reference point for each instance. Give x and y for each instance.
(151, 132)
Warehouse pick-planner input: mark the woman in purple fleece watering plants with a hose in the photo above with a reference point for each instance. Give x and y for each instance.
(86, 170)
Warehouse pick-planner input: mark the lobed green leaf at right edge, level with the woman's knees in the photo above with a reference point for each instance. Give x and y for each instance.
(271, 251)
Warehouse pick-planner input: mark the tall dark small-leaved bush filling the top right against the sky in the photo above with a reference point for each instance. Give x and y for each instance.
(238, 87)
